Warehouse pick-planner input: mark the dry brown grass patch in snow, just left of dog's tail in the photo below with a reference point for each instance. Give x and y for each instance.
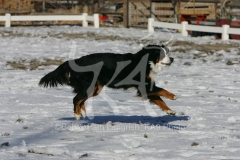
(33, 64)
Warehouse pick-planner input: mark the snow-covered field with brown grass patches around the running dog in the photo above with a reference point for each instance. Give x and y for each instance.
(38, 123)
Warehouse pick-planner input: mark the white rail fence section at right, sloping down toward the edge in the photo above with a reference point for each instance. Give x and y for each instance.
(225, 30)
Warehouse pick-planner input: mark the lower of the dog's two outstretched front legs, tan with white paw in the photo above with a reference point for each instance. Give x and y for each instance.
(161, 104)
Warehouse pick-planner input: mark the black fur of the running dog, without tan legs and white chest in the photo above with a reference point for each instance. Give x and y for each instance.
(136, 66)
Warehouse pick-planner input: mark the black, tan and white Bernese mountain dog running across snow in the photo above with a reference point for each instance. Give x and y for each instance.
(88, 74)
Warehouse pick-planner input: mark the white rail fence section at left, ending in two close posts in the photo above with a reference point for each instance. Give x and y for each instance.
(84, 18)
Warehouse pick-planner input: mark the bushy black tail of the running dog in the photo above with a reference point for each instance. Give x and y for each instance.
(59, 76)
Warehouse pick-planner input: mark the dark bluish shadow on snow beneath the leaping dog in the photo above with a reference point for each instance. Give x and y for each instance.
(146, 120)
